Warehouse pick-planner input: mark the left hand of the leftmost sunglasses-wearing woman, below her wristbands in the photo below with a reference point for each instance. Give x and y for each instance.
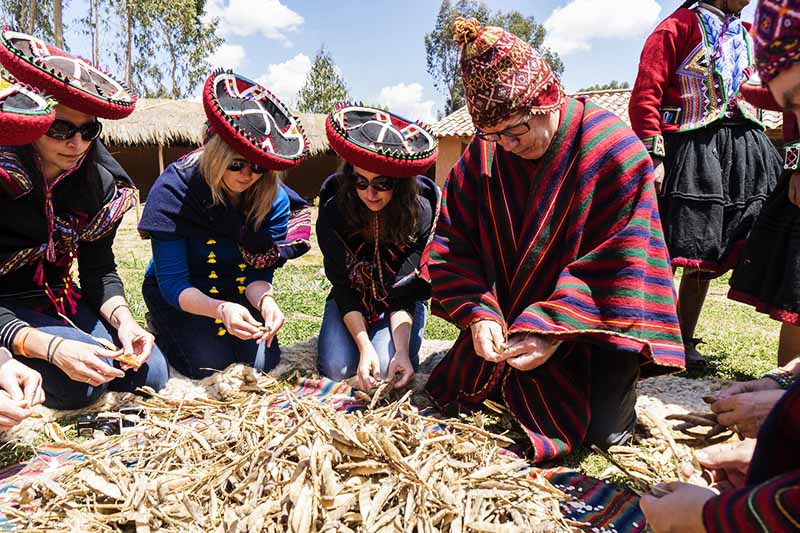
(81, 362)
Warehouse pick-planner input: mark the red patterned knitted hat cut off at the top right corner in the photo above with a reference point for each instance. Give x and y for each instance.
(777, 36)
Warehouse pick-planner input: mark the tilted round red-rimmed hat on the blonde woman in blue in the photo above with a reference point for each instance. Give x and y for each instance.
(253, 121)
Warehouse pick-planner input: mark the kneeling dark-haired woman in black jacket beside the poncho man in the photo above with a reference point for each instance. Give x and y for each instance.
(375, 218)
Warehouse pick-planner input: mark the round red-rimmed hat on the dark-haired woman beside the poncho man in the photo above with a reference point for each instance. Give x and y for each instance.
(380, 141)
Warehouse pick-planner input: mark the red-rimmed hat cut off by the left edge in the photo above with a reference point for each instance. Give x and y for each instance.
(25, 115)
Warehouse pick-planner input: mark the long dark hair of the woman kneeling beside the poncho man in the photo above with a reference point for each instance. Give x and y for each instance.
(398, 220)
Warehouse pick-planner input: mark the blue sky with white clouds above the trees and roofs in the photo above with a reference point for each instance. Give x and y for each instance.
(379, 46)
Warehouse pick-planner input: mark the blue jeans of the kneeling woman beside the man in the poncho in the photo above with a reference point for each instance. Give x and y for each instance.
(337, 351)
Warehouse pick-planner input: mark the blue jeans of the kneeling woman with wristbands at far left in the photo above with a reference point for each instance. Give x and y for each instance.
(61, 391)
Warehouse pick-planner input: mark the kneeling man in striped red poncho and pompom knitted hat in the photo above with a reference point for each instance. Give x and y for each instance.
(549, 255)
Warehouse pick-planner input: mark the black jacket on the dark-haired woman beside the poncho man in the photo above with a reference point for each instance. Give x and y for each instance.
(350, 263)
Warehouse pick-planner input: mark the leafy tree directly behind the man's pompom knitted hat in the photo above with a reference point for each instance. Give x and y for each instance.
(443, 55)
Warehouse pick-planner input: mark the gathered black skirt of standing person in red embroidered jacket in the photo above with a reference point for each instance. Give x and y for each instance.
(716, 180)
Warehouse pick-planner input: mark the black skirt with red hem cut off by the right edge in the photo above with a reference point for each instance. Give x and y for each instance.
(768, 275)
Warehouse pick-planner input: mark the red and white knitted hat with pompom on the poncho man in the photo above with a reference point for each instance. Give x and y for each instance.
(502, 74)
